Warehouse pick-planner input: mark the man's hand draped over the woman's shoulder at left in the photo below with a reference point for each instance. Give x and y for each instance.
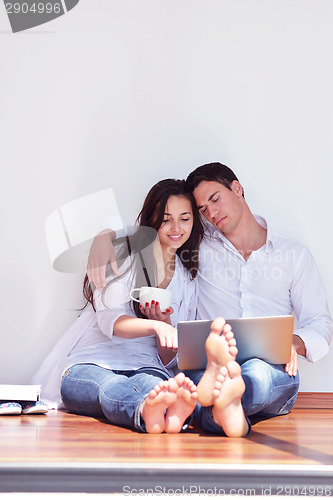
(101, 252)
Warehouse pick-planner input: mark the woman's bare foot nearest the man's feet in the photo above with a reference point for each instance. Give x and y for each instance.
(182, 408)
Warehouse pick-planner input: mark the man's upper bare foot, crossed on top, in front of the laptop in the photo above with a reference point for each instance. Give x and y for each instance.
(220, 348)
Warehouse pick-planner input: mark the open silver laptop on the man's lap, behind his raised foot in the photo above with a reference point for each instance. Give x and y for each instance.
(268, 338)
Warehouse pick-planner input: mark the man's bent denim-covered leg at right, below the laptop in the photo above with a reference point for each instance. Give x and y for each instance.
(269, 390)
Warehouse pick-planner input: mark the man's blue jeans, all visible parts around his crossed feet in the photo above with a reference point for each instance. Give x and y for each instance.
(269, 391)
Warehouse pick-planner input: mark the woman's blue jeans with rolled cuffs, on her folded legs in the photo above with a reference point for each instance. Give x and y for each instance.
(88, 389)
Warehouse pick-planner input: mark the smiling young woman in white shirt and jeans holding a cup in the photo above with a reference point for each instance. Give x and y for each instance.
(116, 361)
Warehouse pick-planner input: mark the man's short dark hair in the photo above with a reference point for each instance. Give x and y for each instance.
(211, 172)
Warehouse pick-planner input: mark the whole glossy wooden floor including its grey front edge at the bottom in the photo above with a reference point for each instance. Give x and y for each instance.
(64, 452)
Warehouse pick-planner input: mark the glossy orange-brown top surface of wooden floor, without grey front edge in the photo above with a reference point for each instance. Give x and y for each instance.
(302, 437)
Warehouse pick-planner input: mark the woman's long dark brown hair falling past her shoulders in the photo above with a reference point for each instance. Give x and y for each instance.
(151, 216)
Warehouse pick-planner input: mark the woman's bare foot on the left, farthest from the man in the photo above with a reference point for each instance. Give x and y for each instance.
(156, 403)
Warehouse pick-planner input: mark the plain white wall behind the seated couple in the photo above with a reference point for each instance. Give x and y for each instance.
(121, 94)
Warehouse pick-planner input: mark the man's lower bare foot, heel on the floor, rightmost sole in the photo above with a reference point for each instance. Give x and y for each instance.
(227, 407)
